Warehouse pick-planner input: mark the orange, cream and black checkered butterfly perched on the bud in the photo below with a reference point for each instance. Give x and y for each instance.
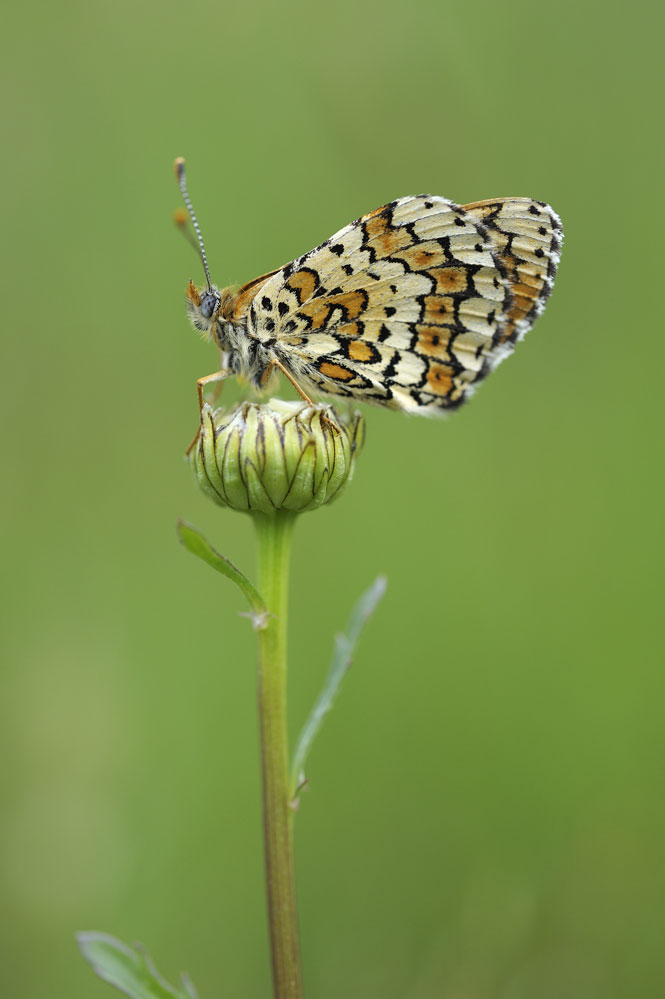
(408, 307)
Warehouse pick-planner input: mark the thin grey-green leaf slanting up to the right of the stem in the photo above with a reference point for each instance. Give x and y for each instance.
(342, 658)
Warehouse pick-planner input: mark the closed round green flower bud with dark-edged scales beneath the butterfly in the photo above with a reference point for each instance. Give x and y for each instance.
(278, 456)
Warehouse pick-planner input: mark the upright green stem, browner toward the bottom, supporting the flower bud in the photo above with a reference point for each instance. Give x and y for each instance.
(274, 543)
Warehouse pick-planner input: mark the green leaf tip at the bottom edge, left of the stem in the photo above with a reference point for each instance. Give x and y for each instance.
(128, 969)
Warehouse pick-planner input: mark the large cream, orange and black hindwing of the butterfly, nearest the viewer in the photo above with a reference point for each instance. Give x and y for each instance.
(407, 306)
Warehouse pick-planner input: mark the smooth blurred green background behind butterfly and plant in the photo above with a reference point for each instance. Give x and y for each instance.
(485, 815)
